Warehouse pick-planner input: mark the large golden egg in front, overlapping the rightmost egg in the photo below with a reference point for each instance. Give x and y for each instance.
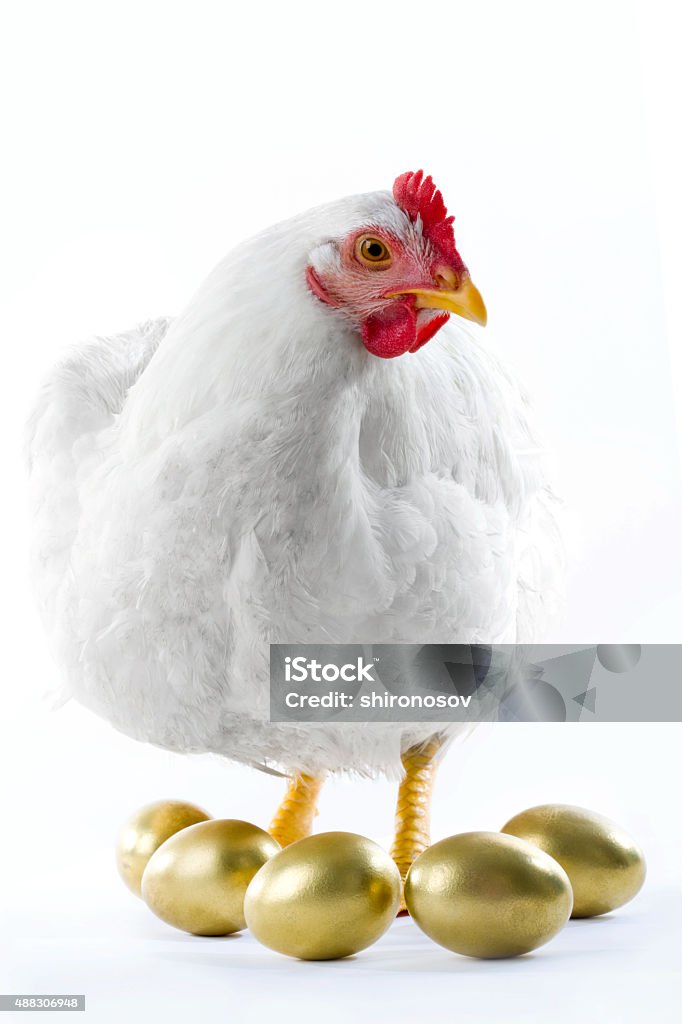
(488, 895)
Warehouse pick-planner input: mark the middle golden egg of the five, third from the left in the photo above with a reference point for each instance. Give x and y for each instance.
(324, 898)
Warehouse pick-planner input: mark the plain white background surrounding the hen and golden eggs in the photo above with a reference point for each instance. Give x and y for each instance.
(141, 143)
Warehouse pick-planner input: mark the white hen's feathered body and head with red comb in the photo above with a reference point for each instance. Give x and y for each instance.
(263, 471)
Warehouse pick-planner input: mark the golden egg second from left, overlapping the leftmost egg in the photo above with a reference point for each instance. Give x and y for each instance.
(198, 879)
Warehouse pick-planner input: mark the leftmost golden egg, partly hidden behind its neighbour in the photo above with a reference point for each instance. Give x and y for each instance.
(146, 831)
